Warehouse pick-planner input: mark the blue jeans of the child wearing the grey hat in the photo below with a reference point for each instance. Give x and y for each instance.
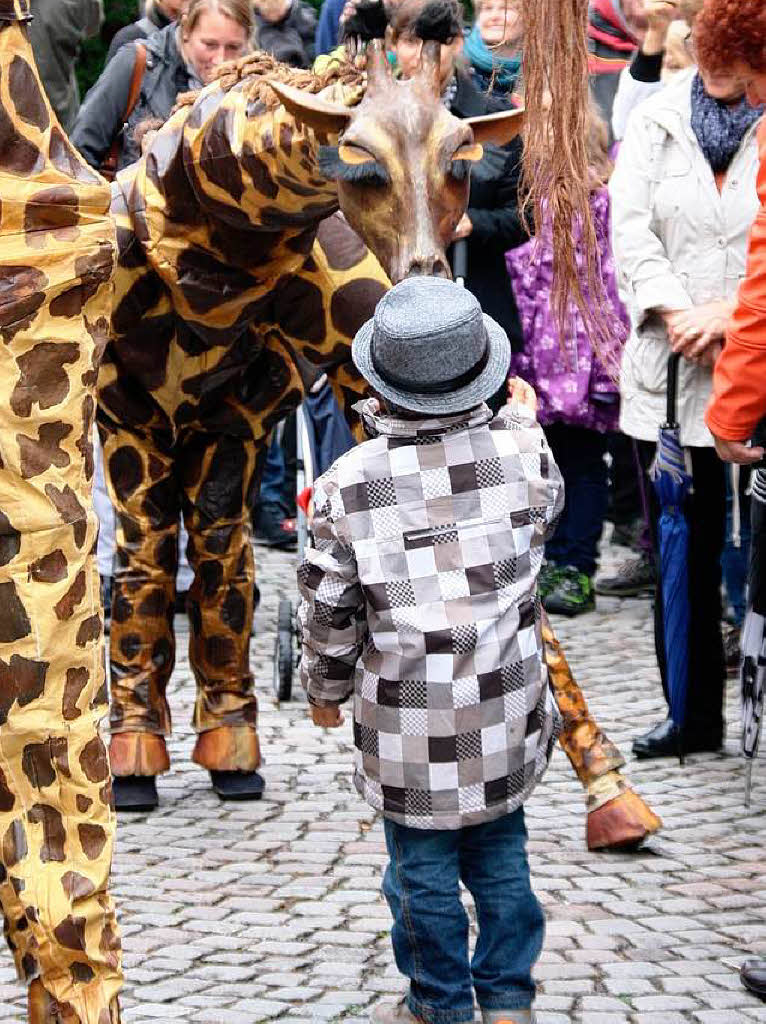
(431, 925)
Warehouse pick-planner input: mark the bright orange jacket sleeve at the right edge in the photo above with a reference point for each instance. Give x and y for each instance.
(739, 401)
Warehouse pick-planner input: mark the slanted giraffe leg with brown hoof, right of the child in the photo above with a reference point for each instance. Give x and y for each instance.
(618, 818)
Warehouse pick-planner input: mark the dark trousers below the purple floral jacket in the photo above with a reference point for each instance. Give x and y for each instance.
(580, 455)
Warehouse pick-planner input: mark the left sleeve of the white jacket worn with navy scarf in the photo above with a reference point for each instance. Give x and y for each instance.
(643, 263)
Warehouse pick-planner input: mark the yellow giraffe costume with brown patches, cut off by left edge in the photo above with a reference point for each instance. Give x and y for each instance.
(57, 822)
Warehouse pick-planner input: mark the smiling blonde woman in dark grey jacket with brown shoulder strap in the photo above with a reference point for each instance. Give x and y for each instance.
(181, 58)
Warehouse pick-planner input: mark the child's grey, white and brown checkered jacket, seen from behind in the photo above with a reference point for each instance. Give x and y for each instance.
(419, 596)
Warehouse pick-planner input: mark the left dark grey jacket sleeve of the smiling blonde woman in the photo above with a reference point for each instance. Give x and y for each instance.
(103, 114)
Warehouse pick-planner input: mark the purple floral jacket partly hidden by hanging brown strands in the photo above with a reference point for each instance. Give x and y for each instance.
(574, 385)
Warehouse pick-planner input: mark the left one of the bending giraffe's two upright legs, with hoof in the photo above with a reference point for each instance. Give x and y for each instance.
(145, 490)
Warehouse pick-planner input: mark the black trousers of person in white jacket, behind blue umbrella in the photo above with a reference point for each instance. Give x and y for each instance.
(706, 516)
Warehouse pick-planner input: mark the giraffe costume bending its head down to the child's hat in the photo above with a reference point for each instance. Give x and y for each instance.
(237, 286)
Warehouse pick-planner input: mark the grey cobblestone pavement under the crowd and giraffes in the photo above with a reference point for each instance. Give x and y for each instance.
(241, 914)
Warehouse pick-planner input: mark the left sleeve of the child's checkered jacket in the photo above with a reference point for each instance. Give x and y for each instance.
(331, 614)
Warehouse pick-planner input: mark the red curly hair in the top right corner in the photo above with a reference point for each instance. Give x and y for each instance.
(732, 32)
